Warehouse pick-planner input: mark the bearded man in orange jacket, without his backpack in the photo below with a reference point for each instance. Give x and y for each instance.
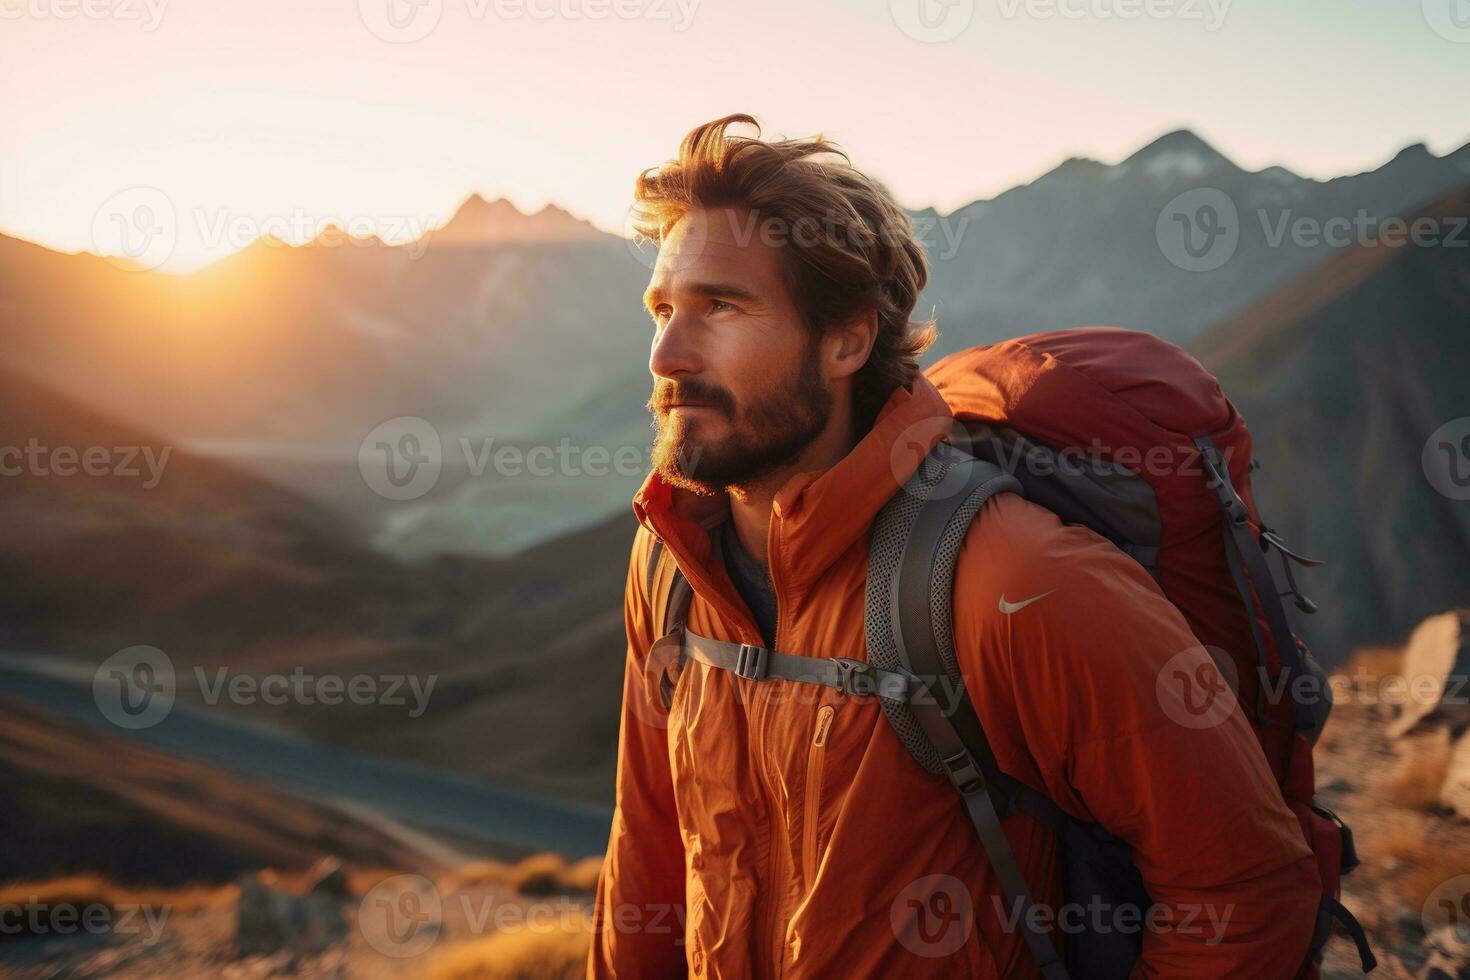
(768, 831)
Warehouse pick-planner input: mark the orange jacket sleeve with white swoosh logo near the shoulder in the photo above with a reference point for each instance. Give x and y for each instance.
(1087, 696)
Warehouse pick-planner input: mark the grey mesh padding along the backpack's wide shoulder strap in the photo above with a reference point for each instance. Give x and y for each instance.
(886, 550)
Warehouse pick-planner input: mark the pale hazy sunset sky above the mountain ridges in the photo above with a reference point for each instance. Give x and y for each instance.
(284, 114)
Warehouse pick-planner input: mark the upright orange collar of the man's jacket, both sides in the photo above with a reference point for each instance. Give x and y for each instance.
(818, 515)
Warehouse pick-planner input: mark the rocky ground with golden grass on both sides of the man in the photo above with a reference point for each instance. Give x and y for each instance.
(528, 920)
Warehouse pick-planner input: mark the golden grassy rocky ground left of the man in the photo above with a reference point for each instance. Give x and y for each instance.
(489, 922)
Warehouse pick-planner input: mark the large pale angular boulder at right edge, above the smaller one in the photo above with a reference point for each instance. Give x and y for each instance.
(1437, 675)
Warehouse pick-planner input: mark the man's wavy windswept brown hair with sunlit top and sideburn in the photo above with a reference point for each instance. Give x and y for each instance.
(849, 248)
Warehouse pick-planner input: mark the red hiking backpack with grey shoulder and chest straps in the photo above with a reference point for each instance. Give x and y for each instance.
(1128, 436)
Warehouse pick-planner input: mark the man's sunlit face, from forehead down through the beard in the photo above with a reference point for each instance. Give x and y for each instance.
(739, 387)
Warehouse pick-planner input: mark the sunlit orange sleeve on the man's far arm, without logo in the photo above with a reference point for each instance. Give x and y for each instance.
(640, 909)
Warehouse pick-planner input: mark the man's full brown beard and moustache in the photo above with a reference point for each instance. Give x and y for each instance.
(768, 434)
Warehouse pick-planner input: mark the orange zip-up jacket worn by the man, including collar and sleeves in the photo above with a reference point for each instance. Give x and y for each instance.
(772, 829)
